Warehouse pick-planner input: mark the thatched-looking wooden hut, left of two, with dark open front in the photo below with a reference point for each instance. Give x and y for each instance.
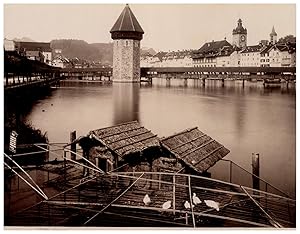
(127, 143)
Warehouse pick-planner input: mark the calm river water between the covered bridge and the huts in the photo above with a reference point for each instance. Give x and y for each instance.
(246, 120)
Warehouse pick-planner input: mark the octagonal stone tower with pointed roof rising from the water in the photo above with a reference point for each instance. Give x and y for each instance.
(127, 34)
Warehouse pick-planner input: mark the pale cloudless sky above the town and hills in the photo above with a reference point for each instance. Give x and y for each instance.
(167, 26)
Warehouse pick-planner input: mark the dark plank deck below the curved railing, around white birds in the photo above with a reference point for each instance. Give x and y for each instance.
(116, 200)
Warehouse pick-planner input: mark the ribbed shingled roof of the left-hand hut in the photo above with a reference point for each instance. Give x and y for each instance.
(126, 138)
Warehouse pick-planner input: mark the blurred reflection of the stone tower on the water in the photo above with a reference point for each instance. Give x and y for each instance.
(126, 102)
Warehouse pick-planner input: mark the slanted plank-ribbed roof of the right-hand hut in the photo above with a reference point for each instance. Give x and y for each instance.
(195, 149)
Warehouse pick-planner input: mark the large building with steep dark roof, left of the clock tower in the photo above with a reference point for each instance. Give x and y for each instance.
(207, 55)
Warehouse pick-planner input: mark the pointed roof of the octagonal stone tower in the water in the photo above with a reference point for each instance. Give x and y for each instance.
(127, 22)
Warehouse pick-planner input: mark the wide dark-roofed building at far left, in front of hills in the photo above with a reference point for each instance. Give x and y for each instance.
(32, 49)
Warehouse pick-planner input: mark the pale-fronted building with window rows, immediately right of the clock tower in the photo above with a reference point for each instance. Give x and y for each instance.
(250, 56)
